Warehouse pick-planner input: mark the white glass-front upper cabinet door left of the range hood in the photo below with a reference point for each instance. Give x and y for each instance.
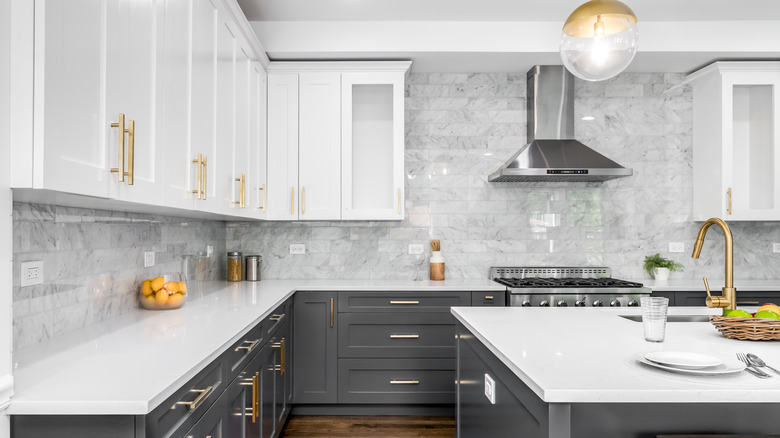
(372, 138)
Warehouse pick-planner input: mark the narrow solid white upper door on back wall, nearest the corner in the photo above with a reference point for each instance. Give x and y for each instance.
(282, 147)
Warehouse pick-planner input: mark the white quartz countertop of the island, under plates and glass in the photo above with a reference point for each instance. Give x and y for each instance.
(589, 355)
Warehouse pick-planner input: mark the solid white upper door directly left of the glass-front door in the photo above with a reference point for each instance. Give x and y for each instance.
(319, 149)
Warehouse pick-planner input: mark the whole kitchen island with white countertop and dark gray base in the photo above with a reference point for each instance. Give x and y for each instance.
(567, 374)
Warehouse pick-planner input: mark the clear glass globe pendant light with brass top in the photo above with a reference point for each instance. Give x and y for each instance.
(599, 39)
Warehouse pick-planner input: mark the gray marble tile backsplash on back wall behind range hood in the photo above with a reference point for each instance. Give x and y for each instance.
(461, 127)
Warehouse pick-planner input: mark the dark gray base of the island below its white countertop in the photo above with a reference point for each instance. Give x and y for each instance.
(519, 412)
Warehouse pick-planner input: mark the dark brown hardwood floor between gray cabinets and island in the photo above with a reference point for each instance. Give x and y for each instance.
(369, 426)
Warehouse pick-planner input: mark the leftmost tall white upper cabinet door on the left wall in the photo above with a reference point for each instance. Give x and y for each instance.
(70, 153)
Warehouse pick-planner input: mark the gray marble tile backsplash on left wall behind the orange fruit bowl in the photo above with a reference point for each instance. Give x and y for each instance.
(93, 263)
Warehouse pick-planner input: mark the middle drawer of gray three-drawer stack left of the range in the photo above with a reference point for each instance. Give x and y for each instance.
(396, 335)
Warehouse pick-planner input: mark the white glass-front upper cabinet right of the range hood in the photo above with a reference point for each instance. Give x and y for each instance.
(736, 137)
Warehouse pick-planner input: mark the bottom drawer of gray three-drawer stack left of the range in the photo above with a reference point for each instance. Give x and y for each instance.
(410, 381)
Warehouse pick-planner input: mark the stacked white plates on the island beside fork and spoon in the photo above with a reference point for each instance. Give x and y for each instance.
(690, 363)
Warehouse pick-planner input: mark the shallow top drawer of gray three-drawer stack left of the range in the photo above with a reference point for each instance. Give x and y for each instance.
(402, 301)
